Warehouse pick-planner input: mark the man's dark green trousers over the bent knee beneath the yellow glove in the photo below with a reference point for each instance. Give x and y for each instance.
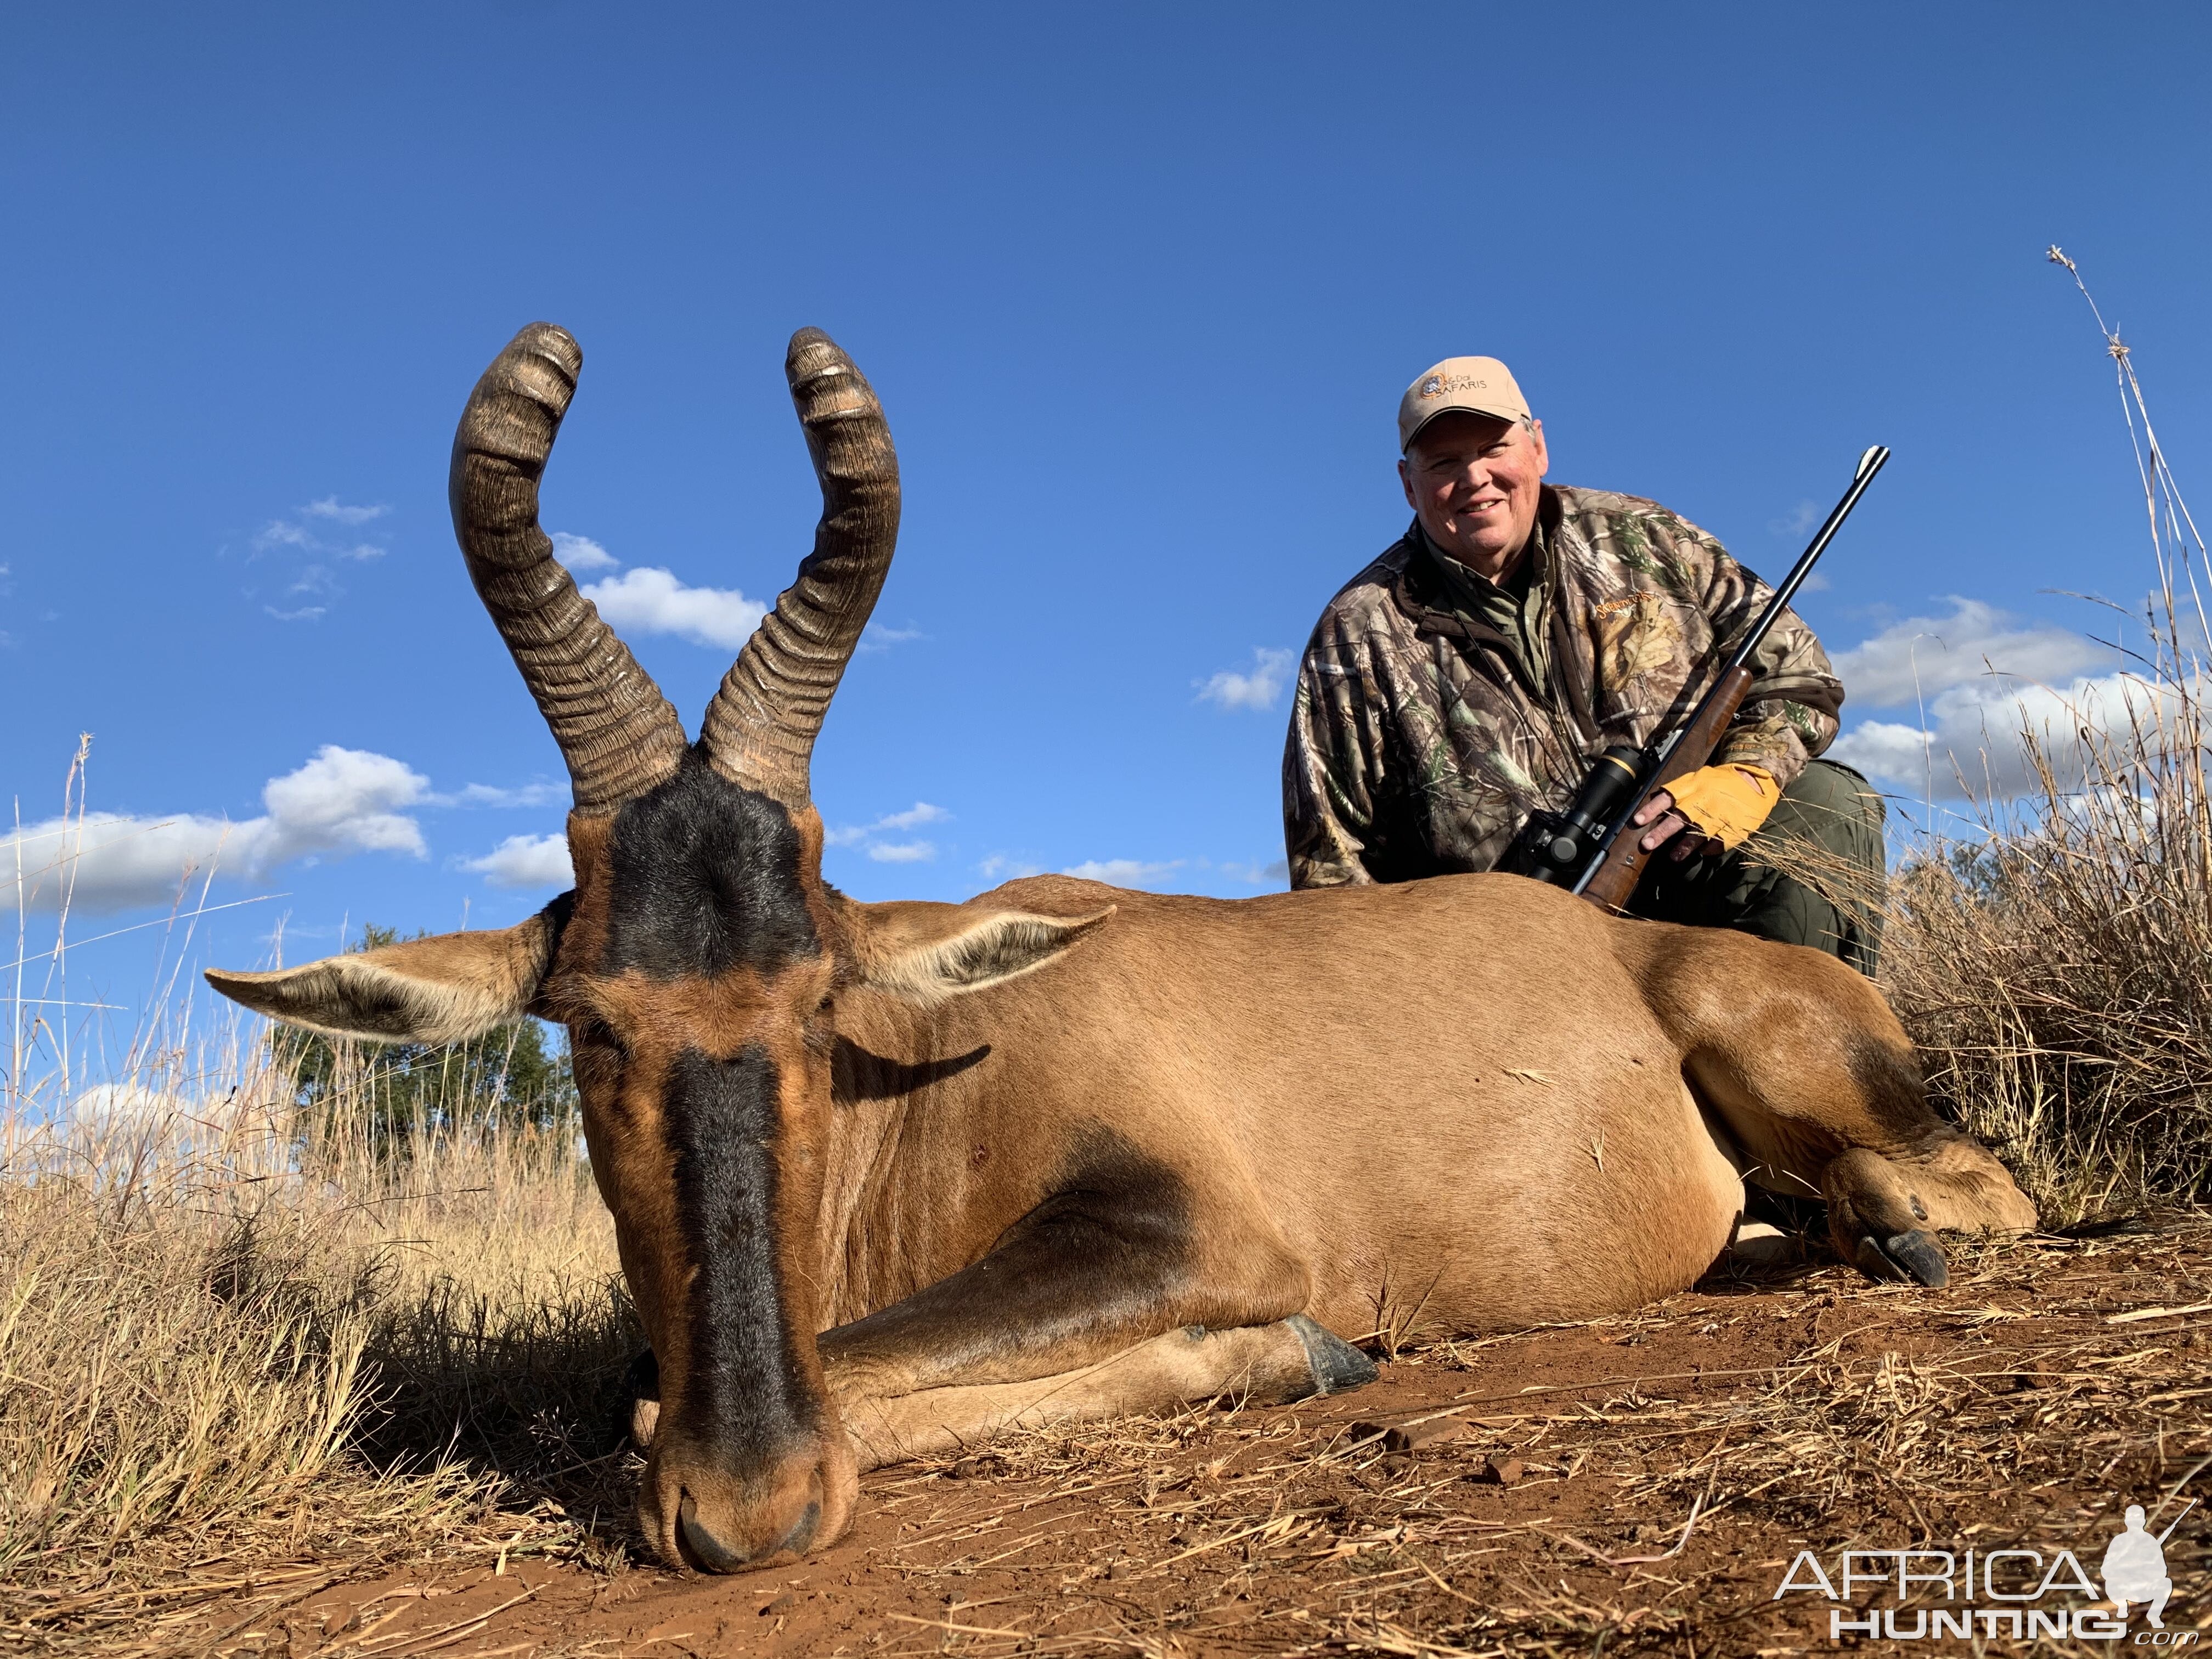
(1815, 875)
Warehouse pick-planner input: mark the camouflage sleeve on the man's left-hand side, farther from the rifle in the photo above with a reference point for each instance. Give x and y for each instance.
(1333, 764)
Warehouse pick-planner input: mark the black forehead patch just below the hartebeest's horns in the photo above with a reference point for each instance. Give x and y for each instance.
(705, 879)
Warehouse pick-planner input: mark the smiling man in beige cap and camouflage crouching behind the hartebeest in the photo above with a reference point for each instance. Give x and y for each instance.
(1472, 674)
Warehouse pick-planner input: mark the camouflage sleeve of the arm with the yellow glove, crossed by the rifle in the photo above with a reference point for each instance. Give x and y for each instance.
(1791, 713)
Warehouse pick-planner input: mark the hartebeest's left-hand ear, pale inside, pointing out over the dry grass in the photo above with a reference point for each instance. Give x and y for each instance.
(430, 990)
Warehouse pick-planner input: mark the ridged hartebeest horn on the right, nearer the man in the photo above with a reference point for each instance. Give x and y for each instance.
(760, 729)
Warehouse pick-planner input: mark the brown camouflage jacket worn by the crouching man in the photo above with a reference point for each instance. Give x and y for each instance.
(1419, 747)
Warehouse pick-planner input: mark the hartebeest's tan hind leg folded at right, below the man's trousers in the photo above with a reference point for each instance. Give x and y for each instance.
(1822, 1092)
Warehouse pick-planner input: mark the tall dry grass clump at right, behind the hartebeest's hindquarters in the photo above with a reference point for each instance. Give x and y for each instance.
(2060, 988)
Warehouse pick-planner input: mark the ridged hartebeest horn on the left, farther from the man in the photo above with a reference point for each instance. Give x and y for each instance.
(612, 722)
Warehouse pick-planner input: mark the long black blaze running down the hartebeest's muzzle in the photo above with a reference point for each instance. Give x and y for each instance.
(744, 1379)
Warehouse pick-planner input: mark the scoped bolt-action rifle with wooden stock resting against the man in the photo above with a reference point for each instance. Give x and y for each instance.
(1594, 846)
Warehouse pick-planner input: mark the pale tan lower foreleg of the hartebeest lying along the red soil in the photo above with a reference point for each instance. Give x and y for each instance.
(1293, 1359)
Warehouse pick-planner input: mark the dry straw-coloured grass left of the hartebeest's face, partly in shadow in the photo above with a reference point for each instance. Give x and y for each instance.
(227, 1344)
